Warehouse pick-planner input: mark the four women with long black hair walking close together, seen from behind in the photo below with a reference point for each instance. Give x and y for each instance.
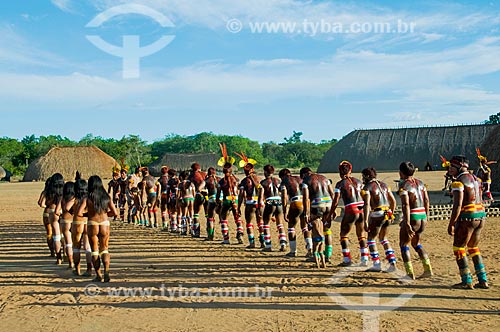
(77, 212)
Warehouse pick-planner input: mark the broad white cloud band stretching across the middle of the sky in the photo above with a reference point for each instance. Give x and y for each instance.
(423, 80)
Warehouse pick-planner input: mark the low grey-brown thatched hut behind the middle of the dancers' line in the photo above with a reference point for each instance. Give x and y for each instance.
(181, 161)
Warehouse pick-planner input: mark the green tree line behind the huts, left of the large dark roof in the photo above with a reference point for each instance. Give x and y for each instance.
(293, 152)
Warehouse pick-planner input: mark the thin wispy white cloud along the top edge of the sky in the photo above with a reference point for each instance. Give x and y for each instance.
(445, 19)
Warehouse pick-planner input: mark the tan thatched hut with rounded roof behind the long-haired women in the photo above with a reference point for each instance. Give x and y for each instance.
(88, 160)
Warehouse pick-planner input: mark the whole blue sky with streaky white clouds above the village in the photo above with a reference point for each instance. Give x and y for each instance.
(262, 85)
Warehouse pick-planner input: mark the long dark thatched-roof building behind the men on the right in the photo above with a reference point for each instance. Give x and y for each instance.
(385, 149)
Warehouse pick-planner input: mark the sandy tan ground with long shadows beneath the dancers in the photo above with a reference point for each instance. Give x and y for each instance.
(192, 285)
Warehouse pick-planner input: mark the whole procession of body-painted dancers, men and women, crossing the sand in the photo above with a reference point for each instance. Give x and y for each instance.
(307, 202)
